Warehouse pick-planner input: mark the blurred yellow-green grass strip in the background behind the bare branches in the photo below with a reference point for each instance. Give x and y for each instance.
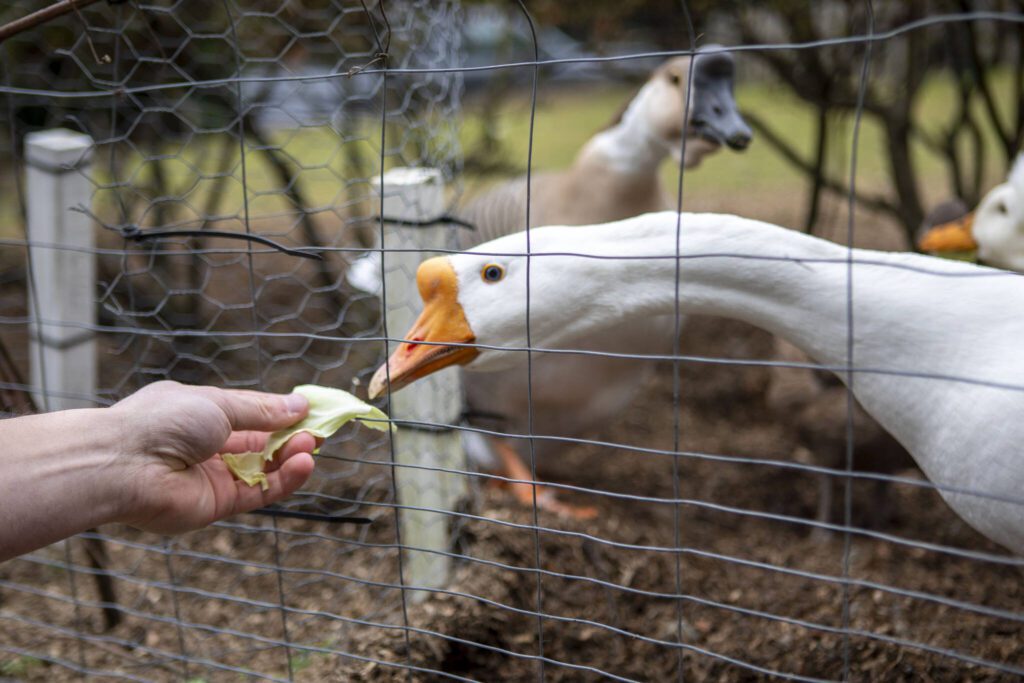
(566, 119)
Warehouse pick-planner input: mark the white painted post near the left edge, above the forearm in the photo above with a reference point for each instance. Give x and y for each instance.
(63, 351)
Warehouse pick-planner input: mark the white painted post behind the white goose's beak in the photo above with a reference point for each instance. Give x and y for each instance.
(412, 194)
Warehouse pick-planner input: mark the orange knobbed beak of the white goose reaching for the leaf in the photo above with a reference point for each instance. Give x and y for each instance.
(442, 324)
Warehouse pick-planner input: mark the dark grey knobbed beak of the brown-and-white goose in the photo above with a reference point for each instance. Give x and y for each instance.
(714, 116)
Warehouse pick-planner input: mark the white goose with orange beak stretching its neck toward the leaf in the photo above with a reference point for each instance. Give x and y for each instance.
(936, 359)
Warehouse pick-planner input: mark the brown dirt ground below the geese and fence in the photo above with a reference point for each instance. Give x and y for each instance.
(760, 596)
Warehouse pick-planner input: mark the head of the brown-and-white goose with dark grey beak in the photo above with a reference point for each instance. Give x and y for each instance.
(714, 120)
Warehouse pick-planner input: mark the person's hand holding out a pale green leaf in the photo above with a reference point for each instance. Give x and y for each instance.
(172, 435)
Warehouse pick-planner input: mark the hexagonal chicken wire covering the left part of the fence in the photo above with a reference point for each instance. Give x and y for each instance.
(229, 118)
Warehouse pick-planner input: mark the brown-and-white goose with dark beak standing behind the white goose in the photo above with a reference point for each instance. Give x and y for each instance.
(615, 177)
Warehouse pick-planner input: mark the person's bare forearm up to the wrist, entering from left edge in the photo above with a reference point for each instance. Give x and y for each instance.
(60, 476)
